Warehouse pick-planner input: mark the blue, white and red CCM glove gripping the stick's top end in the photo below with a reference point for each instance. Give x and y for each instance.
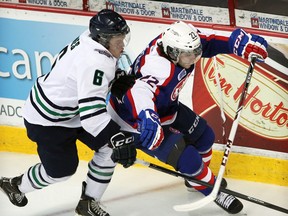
(246, 45)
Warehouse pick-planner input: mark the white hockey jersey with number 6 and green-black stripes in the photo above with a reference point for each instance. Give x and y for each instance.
(73, 93)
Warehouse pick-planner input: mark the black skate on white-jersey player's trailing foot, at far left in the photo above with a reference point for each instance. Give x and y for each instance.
(10, 187)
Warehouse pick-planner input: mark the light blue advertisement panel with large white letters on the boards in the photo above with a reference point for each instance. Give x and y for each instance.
(27, 50)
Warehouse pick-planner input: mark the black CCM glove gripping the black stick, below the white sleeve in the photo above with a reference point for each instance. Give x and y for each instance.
(124, 150)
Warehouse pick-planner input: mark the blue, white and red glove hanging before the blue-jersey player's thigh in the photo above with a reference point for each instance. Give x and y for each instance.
(151, 132)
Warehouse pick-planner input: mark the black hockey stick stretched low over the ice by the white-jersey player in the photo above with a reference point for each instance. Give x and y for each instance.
(189, 178)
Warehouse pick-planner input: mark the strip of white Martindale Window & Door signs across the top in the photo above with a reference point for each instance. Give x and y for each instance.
(171, 10)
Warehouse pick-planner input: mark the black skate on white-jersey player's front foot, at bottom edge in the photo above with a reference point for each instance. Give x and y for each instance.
(87, 206)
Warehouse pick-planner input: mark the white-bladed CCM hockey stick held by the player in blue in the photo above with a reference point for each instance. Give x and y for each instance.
(213, 195)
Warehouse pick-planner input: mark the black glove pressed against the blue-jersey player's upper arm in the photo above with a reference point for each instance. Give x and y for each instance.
(122, 83)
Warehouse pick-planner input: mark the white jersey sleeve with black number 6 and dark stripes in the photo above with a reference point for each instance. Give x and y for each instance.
(92, 87)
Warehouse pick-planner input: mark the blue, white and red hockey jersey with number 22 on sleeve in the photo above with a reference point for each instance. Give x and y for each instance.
(159, 80)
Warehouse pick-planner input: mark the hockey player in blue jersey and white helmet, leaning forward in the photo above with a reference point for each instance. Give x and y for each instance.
(164, 127)
